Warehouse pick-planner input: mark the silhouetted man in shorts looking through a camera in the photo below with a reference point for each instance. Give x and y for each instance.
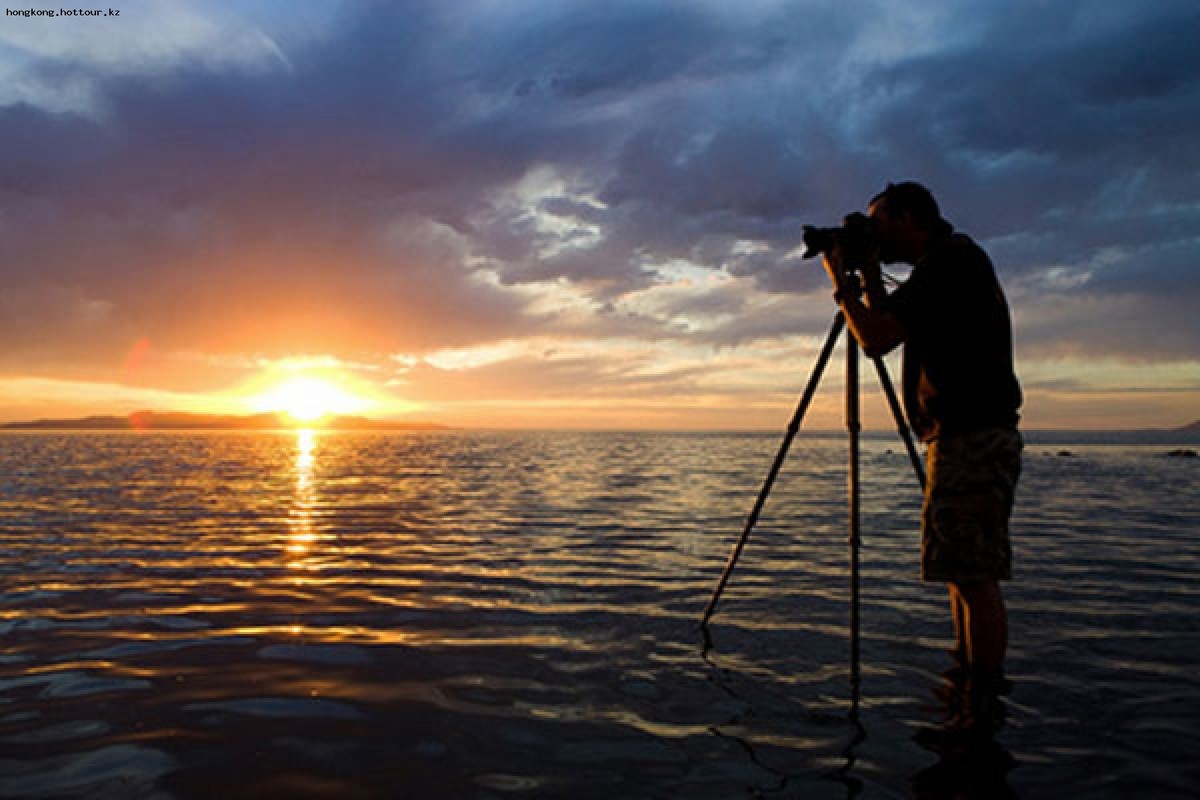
(961, 394)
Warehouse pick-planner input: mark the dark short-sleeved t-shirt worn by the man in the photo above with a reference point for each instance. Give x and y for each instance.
(958, 356)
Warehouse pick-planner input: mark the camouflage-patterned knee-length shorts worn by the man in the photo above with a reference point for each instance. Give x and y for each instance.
(969, 498)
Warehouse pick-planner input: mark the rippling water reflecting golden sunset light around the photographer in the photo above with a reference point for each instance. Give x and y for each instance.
(515, 615)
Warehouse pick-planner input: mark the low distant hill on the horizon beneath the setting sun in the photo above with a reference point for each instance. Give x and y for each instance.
(184, 422)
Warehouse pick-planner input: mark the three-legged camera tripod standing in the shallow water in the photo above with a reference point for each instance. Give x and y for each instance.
(854, 428)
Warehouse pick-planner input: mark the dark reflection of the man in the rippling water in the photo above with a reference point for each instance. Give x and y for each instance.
(971, 763)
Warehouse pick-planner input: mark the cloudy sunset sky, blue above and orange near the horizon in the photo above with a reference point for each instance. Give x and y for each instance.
(573, 214)
